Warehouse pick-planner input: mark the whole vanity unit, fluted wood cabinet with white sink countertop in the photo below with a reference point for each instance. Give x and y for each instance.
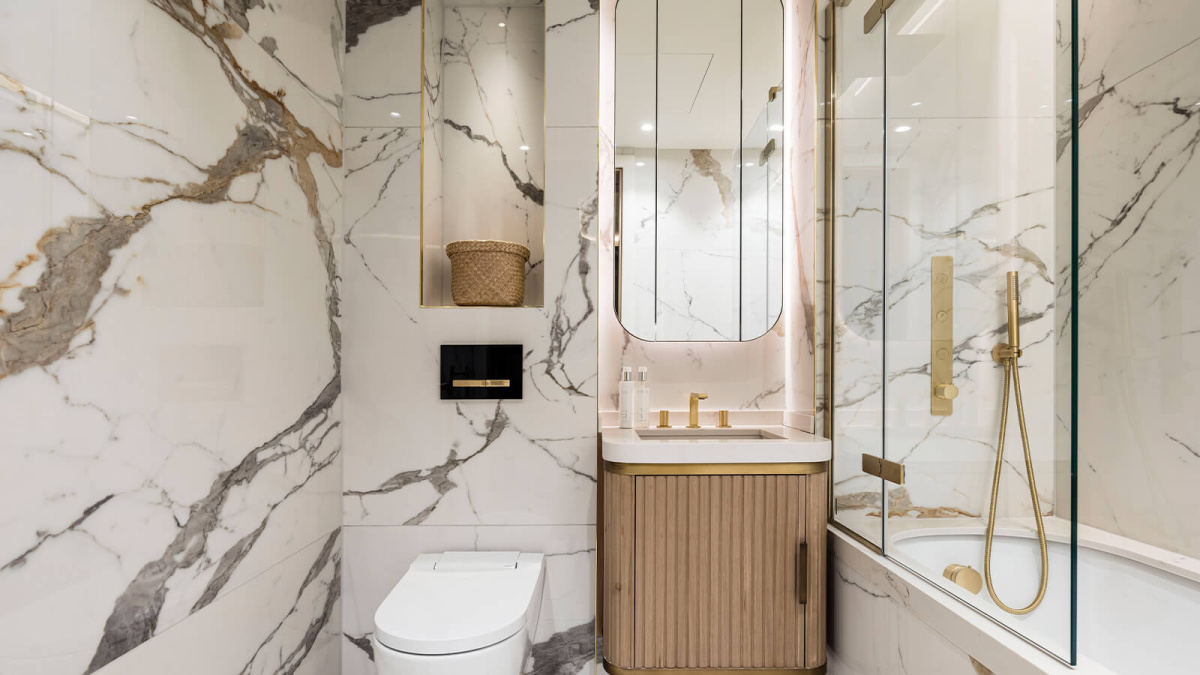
(715, 551)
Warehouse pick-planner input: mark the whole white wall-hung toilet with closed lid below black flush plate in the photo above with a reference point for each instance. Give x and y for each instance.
(461, 614)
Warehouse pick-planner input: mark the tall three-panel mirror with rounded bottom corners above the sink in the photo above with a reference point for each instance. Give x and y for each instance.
(700, 169)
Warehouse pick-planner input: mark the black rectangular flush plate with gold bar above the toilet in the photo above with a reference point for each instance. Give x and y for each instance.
(482, 372)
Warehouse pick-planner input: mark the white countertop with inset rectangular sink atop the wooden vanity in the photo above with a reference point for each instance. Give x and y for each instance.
(710, 445)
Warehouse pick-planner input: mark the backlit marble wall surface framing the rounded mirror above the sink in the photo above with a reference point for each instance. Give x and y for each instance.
(776, 372)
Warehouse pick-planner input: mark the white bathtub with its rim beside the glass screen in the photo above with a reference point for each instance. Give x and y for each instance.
(1139, 607)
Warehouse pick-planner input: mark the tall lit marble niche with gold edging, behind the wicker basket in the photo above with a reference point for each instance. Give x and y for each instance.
(483, 134)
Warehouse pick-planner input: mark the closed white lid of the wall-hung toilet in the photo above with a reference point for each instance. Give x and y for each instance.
(451, 604)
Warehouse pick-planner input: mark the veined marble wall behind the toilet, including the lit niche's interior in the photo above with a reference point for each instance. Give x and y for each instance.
(472, 475)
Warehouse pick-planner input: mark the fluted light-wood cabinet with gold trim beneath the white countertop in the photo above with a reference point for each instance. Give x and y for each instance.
(715, 572)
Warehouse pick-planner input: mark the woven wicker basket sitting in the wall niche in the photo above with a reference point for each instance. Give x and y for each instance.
(488, 273)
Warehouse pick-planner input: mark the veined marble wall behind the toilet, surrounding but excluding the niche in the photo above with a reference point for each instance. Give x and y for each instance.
(424, 475)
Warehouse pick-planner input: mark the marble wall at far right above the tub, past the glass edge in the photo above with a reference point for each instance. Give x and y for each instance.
(1139, 327)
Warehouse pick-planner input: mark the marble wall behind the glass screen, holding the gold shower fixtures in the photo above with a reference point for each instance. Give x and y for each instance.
(961, 163)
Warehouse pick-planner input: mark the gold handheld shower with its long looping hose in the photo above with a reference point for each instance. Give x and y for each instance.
(1009, 356)
